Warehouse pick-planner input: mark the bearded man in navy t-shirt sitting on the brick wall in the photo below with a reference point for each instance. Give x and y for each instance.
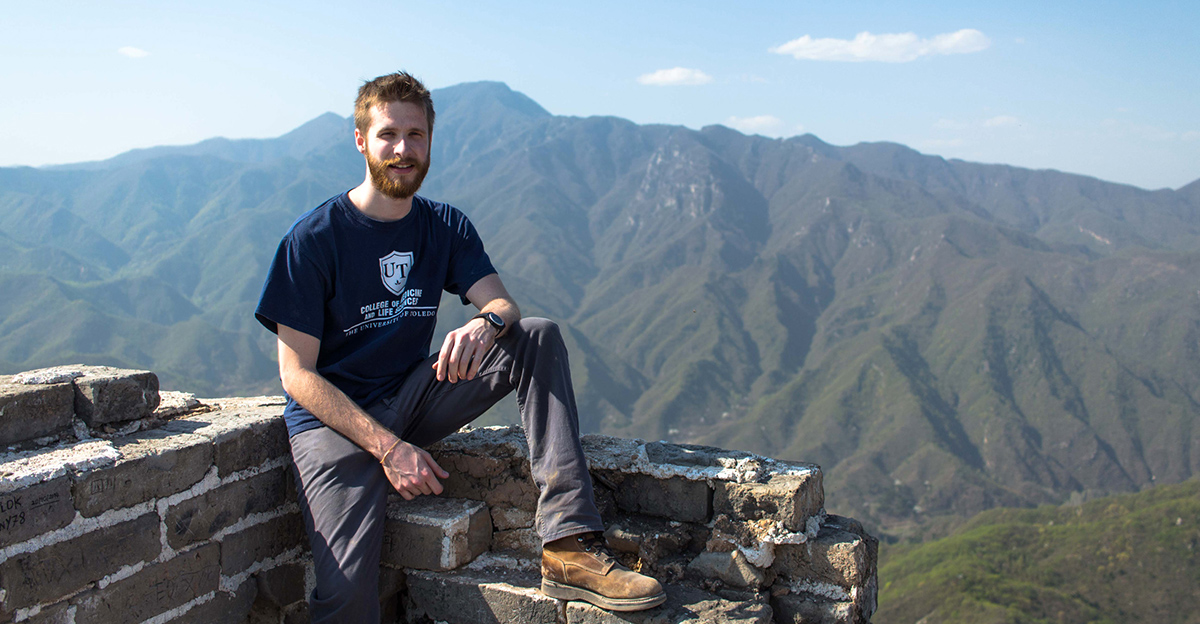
(352, 296)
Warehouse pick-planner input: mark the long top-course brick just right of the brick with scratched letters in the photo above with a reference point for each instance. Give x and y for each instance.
(153, 465)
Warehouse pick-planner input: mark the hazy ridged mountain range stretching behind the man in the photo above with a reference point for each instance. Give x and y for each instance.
(941, 337)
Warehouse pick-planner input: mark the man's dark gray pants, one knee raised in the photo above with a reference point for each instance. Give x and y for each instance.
(344, 493)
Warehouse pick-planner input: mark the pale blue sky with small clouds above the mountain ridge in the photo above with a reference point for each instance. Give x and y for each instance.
(1103, 89)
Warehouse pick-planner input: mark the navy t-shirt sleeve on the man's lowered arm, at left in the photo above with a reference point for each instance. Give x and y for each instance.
(296, 292)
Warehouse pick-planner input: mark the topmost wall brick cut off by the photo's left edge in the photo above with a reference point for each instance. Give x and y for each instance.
(34, 411)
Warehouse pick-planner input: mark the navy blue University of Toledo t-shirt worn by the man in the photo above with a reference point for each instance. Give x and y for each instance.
(370, 291)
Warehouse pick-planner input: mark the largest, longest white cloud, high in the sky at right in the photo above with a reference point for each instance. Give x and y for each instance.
(901, 47)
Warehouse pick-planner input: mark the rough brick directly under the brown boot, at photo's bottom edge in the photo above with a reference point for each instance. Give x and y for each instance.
(685, 605)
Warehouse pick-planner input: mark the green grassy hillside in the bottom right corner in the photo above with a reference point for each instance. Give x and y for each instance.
(1132, 559)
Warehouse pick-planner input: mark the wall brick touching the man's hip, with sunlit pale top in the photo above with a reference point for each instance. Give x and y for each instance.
(242, 439)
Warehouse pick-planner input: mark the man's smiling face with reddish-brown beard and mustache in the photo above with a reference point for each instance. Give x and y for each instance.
(398, 148)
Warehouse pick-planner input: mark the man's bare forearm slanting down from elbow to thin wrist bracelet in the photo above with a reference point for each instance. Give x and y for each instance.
(338, 412)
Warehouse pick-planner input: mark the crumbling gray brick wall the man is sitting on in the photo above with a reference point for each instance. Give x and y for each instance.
(116, 508)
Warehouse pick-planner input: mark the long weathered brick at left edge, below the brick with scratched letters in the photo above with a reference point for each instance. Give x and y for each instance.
(58, 569)
